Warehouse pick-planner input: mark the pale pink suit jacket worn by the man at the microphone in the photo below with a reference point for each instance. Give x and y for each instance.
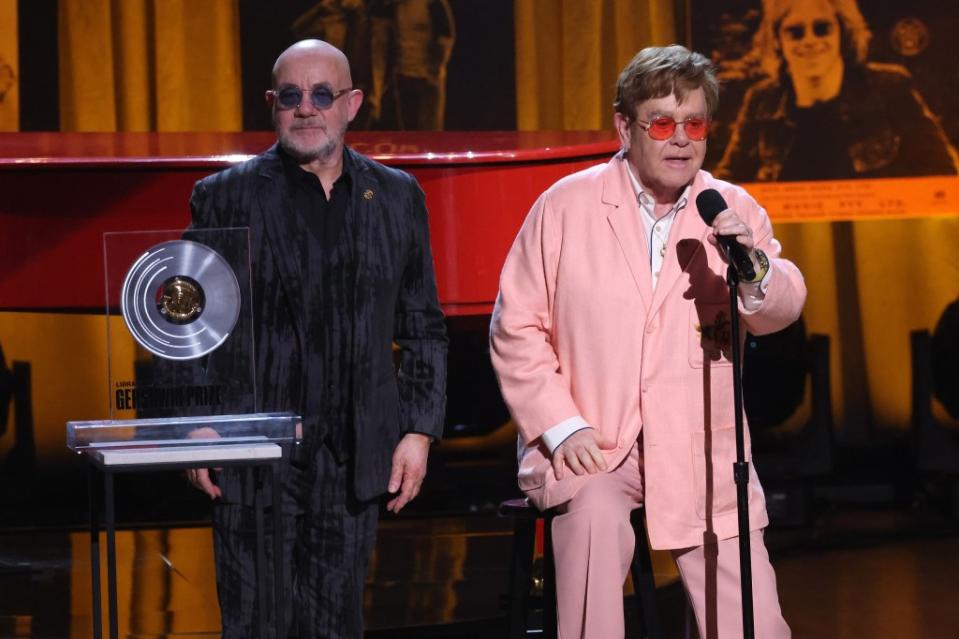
(579, 330)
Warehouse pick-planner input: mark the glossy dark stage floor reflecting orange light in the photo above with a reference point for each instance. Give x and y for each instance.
(855, 573)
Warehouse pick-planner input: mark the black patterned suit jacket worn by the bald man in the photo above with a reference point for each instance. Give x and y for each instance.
(395, 300)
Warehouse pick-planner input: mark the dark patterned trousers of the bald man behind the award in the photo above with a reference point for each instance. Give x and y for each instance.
(328, 539)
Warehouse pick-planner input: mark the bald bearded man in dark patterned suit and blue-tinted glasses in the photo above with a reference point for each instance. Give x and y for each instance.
(341, 270)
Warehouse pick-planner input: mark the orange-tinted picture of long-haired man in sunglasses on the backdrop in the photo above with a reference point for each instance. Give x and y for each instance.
(820, 109)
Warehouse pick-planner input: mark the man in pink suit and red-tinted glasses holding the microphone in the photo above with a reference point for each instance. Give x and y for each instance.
(611, 340)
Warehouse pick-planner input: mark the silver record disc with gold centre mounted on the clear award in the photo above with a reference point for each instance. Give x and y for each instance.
(180, 300)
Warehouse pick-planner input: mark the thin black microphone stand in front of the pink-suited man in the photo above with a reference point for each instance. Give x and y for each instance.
(741, 467)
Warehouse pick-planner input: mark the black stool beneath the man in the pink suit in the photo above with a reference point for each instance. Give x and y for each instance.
(524, 516)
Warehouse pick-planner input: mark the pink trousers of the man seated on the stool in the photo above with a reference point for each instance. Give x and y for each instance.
(593, 547)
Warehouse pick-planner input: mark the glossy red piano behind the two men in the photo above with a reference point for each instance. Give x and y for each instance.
(60, 192)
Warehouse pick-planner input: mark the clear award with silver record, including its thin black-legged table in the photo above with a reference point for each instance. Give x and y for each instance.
(182, 391)
